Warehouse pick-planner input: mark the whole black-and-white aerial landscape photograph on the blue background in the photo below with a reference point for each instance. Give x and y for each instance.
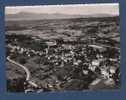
(58, 48)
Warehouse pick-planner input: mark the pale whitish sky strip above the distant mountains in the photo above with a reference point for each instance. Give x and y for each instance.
(76, 9)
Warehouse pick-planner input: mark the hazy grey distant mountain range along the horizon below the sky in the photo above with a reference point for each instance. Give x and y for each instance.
(34, 16)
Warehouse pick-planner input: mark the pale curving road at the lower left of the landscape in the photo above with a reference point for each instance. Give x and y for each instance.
(28, 74)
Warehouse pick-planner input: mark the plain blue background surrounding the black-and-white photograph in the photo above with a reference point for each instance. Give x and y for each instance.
(110, 94)
